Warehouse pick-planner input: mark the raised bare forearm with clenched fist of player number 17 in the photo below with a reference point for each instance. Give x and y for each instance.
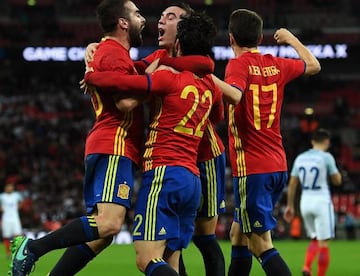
(283, 35)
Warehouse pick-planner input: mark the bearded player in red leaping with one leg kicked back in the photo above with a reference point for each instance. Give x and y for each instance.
(112, 153)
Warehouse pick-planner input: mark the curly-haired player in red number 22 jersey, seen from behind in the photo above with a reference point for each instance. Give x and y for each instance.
(170, 193)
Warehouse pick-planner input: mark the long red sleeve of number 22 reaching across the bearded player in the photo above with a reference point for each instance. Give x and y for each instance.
(139, 84)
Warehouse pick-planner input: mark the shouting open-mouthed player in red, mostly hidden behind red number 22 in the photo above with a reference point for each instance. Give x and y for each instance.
(211, 154)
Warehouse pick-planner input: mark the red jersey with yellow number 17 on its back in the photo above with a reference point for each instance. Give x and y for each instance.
(255, 141)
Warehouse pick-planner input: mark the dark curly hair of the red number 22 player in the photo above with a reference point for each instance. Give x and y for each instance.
(196, 34)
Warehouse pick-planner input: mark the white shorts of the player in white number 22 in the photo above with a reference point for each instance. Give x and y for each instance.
(318, 216)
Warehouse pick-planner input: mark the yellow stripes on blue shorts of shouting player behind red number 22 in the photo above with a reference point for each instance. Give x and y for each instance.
(211, 187)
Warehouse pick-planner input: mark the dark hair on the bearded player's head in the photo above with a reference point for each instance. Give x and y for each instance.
(108, 13)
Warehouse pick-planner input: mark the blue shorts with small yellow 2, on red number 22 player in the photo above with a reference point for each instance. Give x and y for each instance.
(166, 206)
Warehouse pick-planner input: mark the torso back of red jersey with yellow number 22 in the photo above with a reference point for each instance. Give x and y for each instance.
(181, 106)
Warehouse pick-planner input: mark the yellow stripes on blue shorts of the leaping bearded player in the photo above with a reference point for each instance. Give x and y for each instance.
(110, 177)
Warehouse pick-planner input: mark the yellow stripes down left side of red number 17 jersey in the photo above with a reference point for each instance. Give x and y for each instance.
(240, 154)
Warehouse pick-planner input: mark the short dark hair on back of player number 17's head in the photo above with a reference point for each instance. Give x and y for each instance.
(246, 27)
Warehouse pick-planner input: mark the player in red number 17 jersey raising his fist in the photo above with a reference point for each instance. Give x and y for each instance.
(257, 156)
